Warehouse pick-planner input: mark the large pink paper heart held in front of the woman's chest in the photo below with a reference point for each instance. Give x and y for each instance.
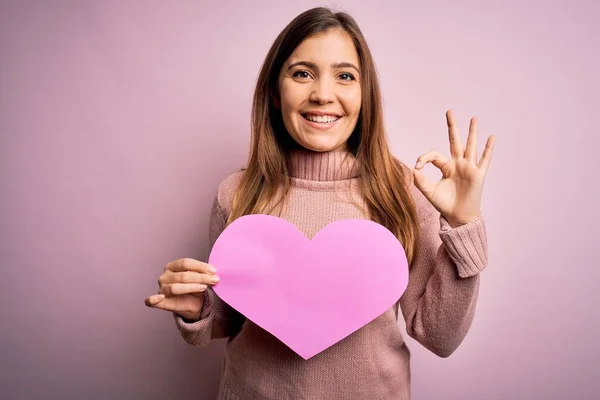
(310, 294)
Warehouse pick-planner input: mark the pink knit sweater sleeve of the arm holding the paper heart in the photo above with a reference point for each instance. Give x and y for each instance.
(217, 318)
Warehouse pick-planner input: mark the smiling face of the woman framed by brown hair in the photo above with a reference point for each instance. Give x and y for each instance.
(319, 91)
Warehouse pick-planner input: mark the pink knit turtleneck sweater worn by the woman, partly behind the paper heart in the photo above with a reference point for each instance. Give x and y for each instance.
(374, 362)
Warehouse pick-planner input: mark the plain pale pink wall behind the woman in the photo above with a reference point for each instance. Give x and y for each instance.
(119, 118)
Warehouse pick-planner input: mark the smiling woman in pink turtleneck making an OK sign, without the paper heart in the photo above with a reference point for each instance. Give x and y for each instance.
(319, 154)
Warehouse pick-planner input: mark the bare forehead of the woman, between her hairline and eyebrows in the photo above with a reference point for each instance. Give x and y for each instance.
(326, 48)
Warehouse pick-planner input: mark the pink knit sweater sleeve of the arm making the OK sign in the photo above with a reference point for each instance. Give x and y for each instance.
(439, 302)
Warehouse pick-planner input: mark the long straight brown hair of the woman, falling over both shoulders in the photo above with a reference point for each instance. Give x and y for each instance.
(382, 180)
